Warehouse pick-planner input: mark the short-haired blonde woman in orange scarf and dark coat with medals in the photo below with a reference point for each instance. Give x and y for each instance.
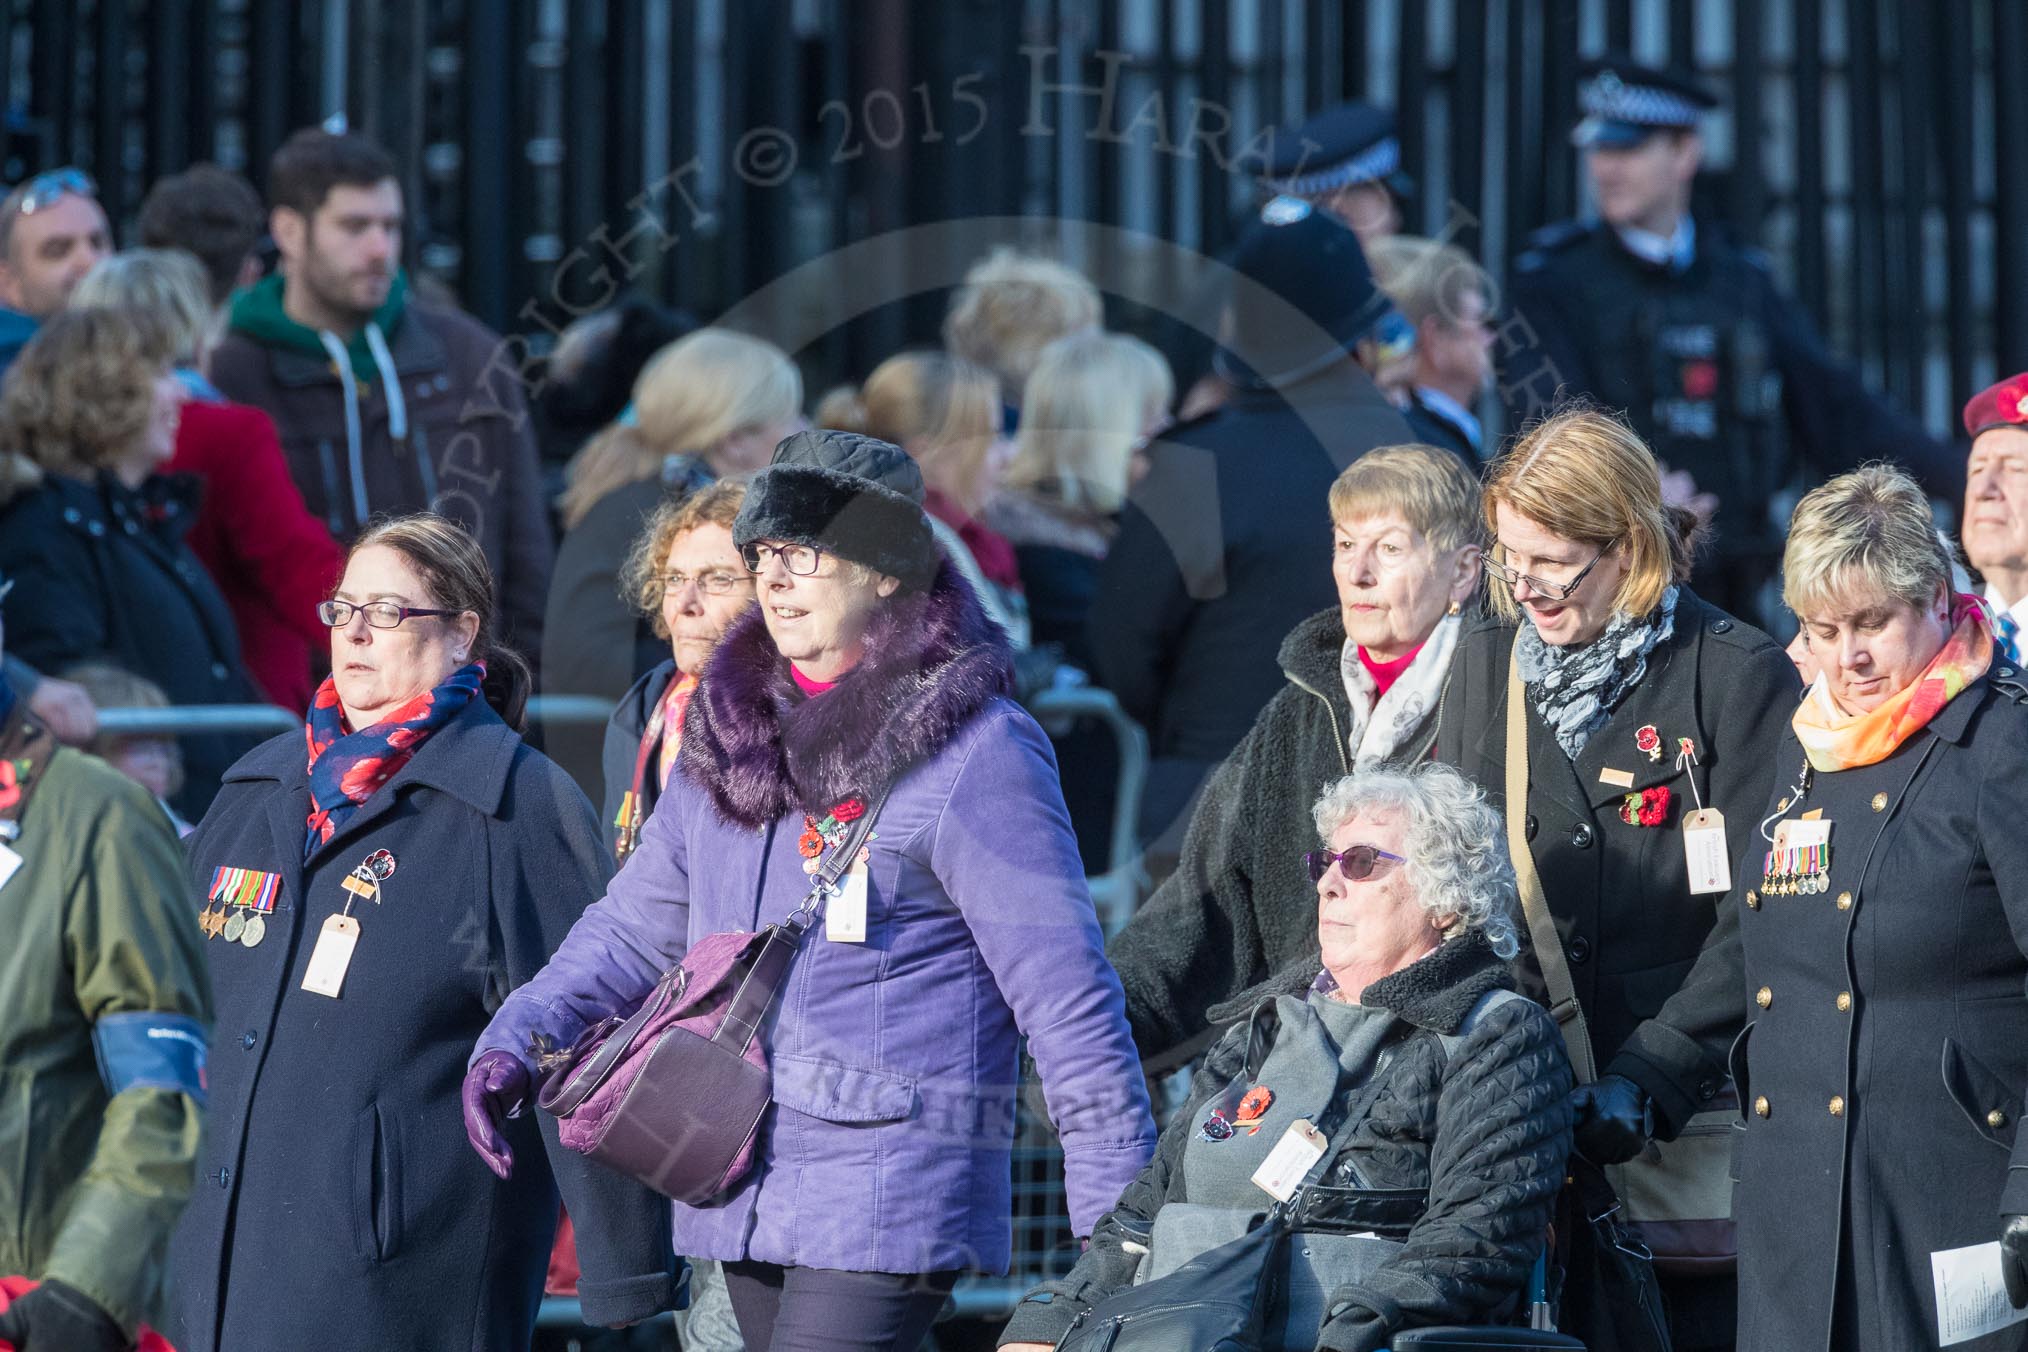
(1879, 960)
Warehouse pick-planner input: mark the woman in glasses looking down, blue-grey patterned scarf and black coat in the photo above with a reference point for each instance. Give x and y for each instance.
(1642, 704)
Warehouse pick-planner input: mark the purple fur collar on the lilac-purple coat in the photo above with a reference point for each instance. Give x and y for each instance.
(766, 753)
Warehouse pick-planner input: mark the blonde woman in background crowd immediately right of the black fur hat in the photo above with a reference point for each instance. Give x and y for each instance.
(946, 415)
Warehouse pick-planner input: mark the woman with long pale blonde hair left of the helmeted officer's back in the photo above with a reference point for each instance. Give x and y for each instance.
(1094, 404)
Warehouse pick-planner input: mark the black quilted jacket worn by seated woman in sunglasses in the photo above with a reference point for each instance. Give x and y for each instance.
(1483, 1132)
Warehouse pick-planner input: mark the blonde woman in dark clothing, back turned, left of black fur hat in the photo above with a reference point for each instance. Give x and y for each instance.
(711, 406)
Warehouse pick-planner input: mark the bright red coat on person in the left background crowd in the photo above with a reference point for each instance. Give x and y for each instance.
(269, 554)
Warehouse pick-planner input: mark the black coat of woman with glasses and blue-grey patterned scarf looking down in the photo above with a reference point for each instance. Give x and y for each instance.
(1621, 893)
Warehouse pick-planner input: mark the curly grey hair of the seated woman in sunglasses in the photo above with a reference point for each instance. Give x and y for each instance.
(1457, 856)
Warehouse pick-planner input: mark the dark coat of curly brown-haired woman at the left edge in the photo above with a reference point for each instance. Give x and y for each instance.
(104, 575)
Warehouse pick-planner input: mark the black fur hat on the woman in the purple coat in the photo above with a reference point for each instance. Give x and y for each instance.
(851, 496)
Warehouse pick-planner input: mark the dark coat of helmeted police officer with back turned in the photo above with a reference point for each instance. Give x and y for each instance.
(1222, 550)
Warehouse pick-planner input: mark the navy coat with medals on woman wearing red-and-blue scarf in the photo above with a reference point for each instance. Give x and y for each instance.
(338, 1201)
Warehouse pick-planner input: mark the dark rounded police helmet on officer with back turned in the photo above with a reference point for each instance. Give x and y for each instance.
(1303, 301)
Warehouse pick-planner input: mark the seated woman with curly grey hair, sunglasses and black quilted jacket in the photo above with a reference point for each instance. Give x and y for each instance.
(1451, 1092)
